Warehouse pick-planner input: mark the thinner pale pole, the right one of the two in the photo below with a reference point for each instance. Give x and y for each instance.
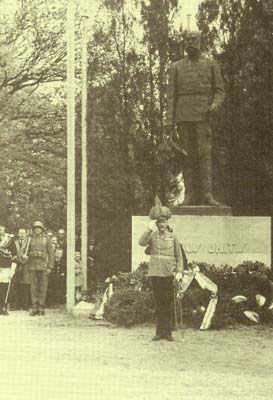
(84, 214)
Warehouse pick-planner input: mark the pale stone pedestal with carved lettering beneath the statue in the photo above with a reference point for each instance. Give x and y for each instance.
(215, 239)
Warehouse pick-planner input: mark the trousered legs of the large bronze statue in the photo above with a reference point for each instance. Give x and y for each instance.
(196, 138)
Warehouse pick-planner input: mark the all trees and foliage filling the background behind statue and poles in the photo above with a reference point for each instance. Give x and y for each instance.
(129, 56)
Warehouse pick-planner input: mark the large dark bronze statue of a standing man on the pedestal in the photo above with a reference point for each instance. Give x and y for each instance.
(195, 92)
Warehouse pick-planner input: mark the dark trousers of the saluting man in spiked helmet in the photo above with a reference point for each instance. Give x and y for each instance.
(163, 295)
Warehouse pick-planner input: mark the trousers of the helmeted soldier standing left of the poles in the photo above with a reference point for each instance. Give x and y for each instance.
(38, 287)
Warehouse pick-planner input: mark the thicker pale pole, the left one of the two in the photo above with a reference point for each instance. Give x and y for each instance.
(70, 282)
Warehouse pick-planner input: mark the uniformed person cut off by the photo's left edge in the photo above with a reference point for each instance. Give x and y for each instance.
(7, 267)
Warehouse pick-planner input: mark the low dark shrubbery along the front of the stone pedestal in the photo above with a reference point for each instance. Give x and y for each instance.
(129, 306)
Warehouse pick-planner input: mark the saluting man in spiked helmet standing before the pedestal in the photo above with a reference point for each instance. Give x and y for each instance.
(165, 251)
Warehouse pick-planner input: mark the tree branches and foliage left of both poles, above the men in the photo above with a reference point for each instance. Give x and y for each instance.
(32, 119)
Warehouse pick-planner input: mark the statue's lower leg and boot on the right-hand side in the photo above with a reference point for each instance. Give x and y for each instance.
(206, 183)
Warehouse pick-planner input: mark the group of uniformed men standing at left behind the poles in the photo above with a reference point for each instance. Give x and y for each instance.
(26, 265)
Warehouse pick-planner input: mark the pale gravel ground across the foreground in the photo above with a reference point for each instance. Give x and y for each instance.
(61, 357)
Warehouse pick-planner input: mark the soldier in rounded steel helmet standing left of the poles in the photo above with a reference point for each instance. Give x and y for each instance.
(40, 264)
